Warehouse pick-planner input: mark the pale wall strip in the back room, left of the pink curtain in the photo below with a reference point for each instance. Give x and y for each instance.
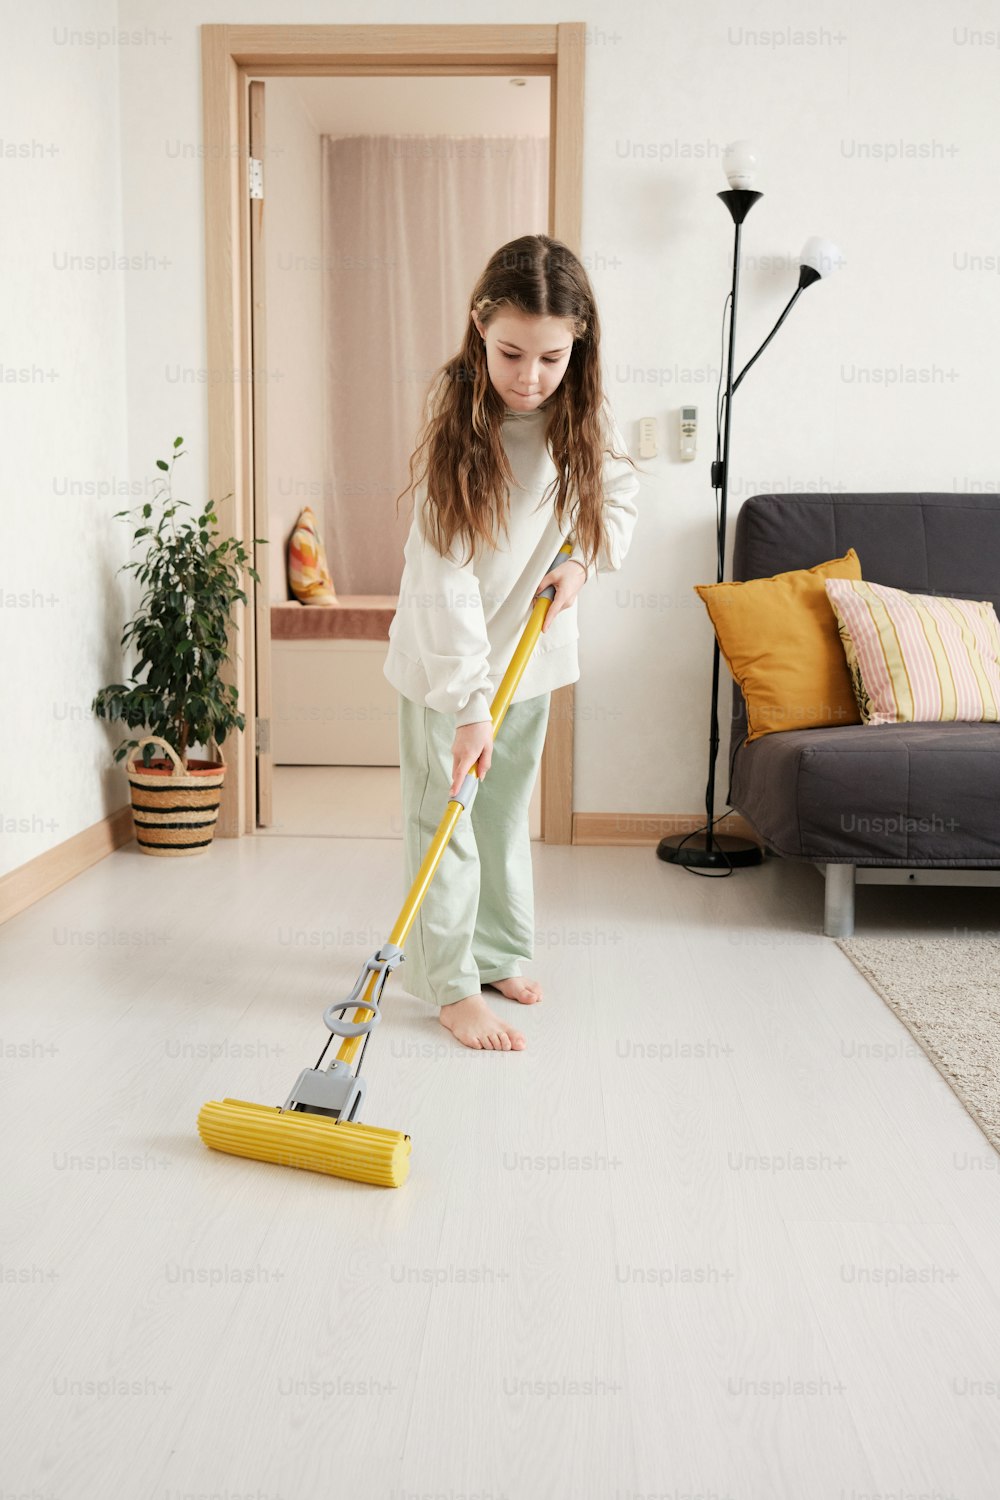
(296, 373)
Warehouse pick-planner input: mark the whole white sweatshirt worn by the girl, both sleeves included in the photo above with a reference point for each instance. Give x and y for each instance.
(457, 626)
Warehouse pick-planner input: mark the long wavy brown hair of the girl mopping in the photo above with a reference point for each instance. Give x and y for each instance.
(461, 452)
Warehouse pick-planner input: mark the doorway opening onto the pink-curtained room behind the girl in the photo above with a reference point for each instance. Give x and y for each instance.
(383, 200)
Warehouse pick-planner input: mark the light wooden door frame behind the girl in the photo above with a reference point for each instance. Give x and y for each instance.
(230, 55)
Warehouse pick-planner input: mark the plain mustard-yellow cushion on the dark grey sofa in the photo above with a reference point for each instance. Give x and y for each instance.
(782, 643)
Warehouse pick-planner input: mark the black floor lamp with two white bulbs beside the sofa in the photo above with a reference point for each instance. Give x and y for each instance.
(705, 850)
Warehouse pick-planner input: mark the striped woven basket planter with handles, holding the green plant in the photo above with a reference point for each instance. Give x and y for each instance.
(175, 812)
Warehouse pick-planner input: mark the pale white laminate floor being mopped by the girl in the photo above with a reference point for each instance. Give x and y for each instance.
(722, 1231)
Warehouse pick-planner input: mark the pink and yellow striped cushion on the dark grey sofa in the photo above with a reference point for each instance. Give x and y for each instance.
(917, 658)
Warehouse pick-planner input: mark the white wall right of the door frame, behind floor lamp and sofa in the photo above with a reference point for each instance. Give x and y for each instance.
(668, 88)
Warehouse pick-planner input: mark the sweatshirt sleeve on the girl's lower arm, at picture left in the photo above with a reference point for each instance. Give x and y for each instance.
(449, 625)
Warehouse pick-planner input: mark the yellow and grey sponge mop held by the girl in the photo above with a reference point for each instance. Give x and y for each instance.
(317, 1127)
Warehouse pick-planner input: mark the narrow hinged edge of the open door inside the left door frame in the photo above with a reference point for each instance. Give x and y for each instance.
(262, 524)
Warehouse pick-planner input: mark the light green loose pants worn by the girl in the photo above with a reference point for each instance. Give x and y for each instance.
(478, 919)
